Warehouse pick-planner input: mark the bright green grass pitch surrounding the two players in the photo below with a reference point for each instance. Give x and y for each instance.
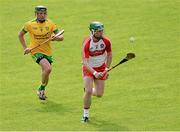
(142, 94)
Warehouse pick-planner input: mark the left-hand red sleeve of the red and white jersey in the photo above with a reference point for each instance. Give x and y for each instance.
(85, 48)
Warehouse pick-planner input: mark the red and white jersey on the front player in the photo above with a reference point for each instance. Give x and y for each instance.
(96, 52)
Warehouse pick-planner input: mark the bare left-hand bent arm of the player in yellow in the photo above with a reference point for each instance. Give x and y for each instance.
(23, 42)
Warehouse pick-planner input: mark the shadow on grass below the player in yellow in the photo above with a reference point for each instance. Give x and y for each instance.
(51, 106)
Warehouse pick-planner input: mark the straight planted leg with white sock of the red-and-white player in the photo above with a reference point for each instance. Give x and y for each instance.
(88, 84)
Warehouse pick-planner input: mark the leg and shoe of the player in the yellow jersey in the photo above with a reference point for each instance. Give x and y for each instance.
(46, 70)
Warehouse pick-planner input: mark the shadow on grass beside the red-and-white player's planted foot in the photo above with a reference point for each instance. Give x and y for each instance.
(104, 125)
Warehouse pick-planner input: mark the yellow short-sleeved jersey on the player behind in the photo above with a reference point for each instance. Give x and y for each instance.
(39, 32)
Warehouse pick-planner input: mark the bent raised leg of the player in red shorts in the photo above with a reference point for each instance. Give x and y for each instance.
(99, 88)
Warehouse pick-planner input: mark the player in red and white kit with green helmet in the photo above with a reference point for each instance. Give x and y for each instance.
(96, 59)
